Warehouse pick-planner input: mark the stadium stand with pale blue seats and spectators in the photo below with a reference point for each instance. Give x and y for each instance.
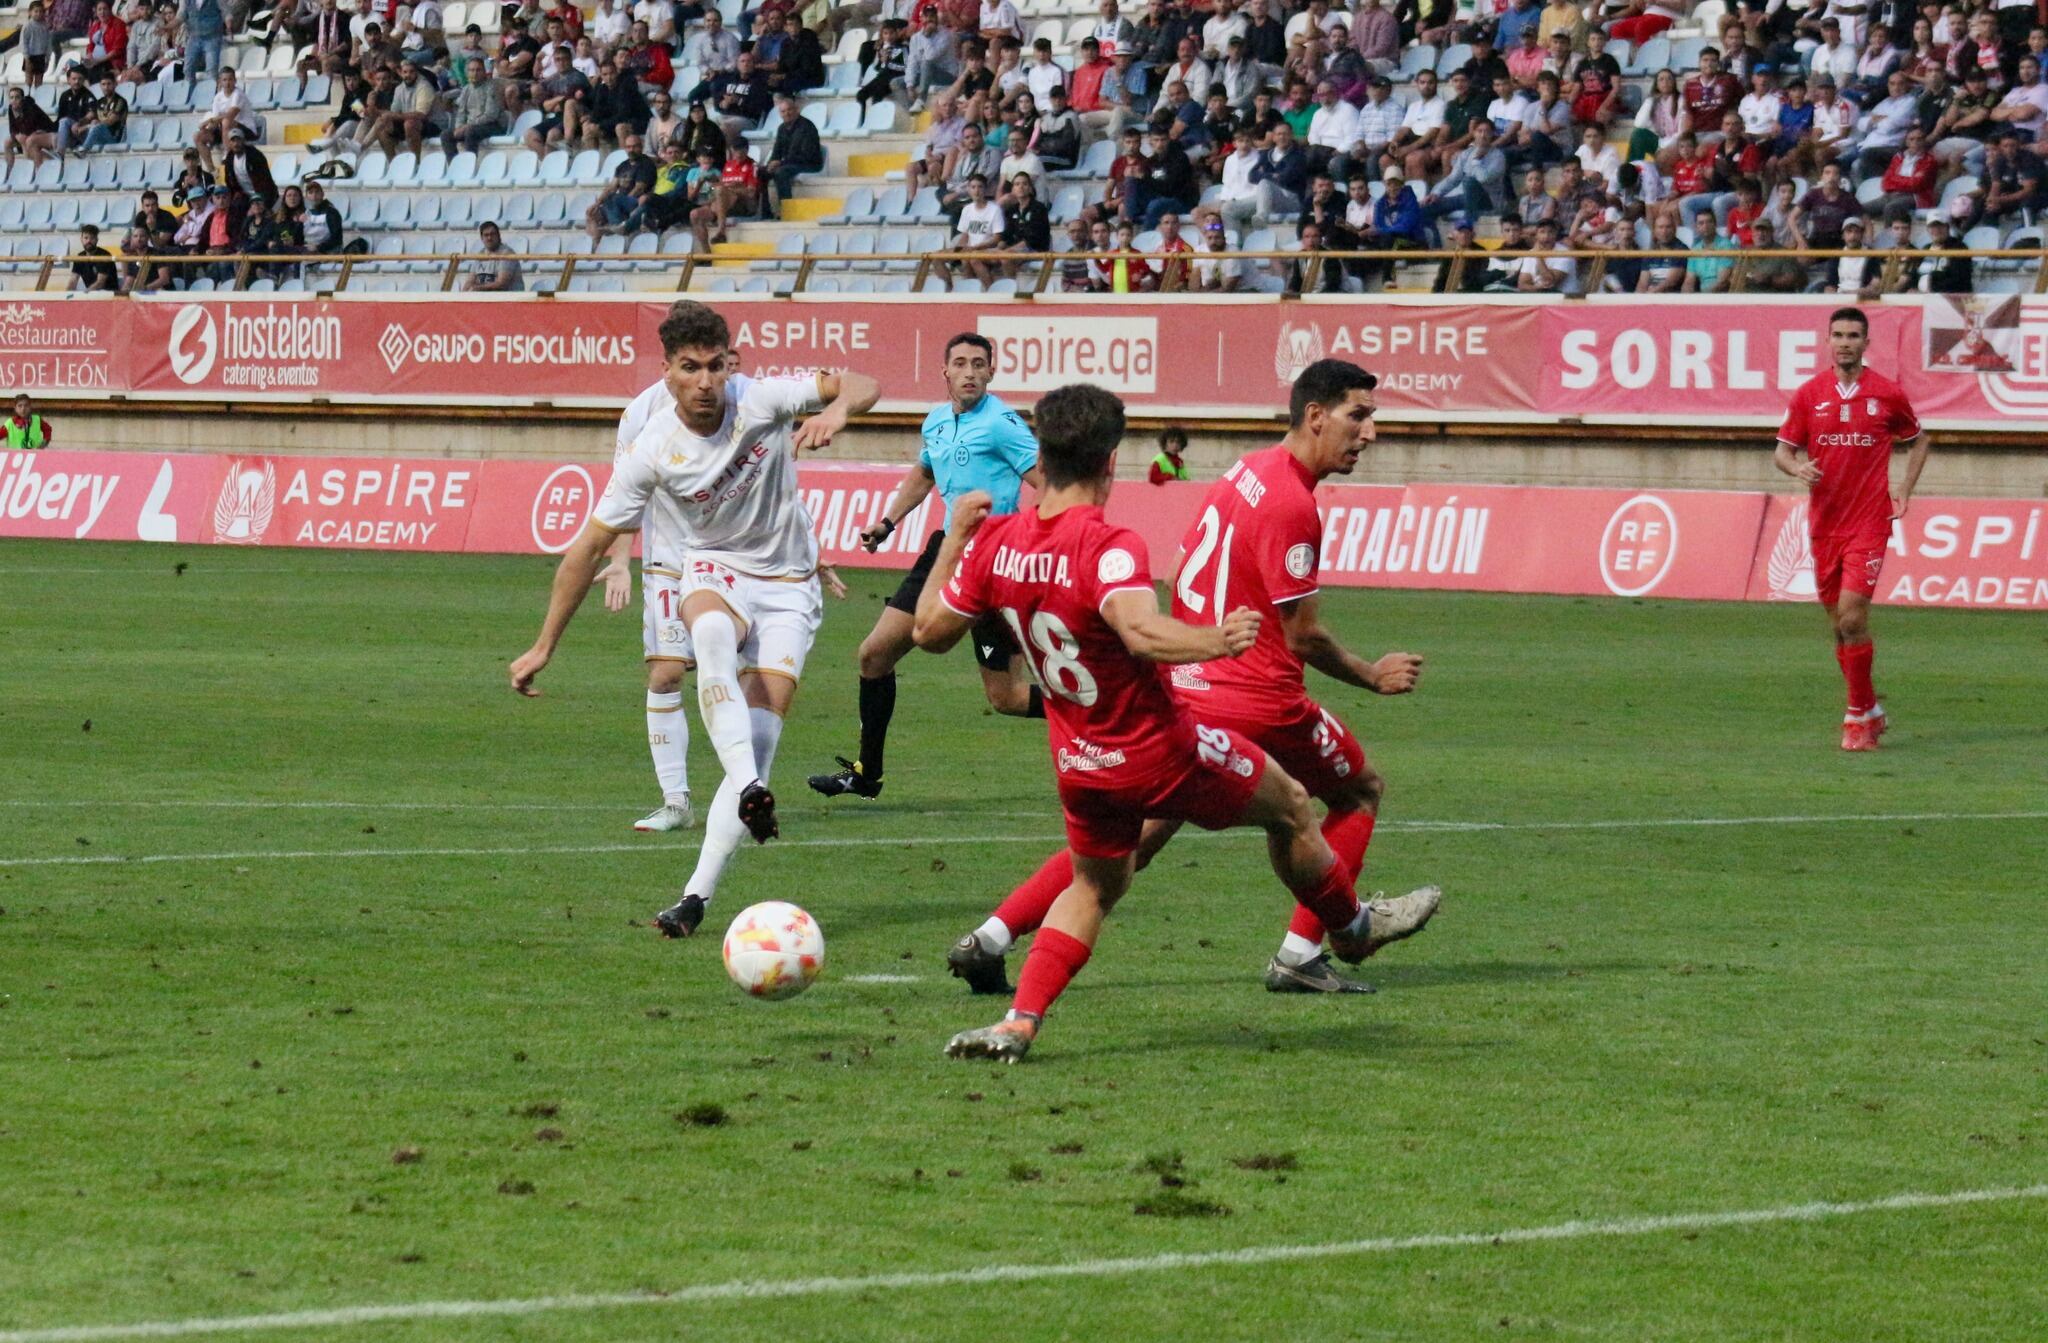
(1533, 148)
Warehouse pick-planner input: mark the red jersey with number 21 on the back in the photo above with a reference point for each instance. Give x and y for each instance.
(1254, 544)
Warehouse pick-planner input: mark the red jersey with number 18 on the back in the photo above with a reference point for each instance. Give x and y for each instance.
(1111, 720)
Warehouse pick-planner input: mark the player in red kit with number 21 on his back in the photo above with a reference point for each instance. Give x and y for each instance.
(1256, 544)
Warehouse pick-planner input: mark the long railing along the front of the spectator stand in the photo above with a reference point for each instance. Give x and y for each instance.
(1033, 271)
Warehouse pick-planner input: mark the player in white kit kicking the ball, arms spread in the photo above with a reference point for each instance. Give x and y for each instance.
(722, 458)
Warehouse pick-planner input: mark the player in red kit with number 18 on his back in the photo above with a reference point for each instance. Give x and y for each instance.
(1078, 597)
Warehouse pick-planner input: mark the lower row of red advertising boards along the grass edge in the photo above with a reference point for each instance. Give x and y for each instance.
(1662, 544)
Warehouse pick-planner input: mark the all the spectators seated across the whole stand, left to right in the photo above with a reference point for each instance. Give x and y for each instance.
(1529, 132)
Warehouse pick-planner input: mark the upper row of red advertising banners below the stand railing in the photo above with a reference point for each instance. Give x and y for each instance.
(1965, 361)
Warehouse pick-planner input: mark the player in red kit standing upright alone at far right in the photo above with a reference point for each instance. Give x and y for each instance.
(1846, 423)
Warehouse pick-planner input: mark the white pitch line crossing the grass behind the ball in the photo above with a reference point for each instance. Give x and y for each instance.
(99, 861)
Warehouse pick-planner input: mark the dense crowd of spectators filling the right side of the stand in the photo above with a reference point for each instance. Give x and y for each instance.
(1517, 132)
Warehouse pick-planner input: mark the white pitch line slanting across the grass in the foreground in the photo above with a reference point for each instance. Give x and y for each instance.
(1013, 1272)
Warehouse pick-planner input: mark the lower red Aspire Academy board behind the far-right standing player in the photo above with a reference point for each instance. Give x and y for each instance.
(1983, 554)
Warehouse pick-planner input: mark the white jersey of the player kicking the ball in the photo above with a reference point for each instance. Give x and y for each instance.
(734, 492)
